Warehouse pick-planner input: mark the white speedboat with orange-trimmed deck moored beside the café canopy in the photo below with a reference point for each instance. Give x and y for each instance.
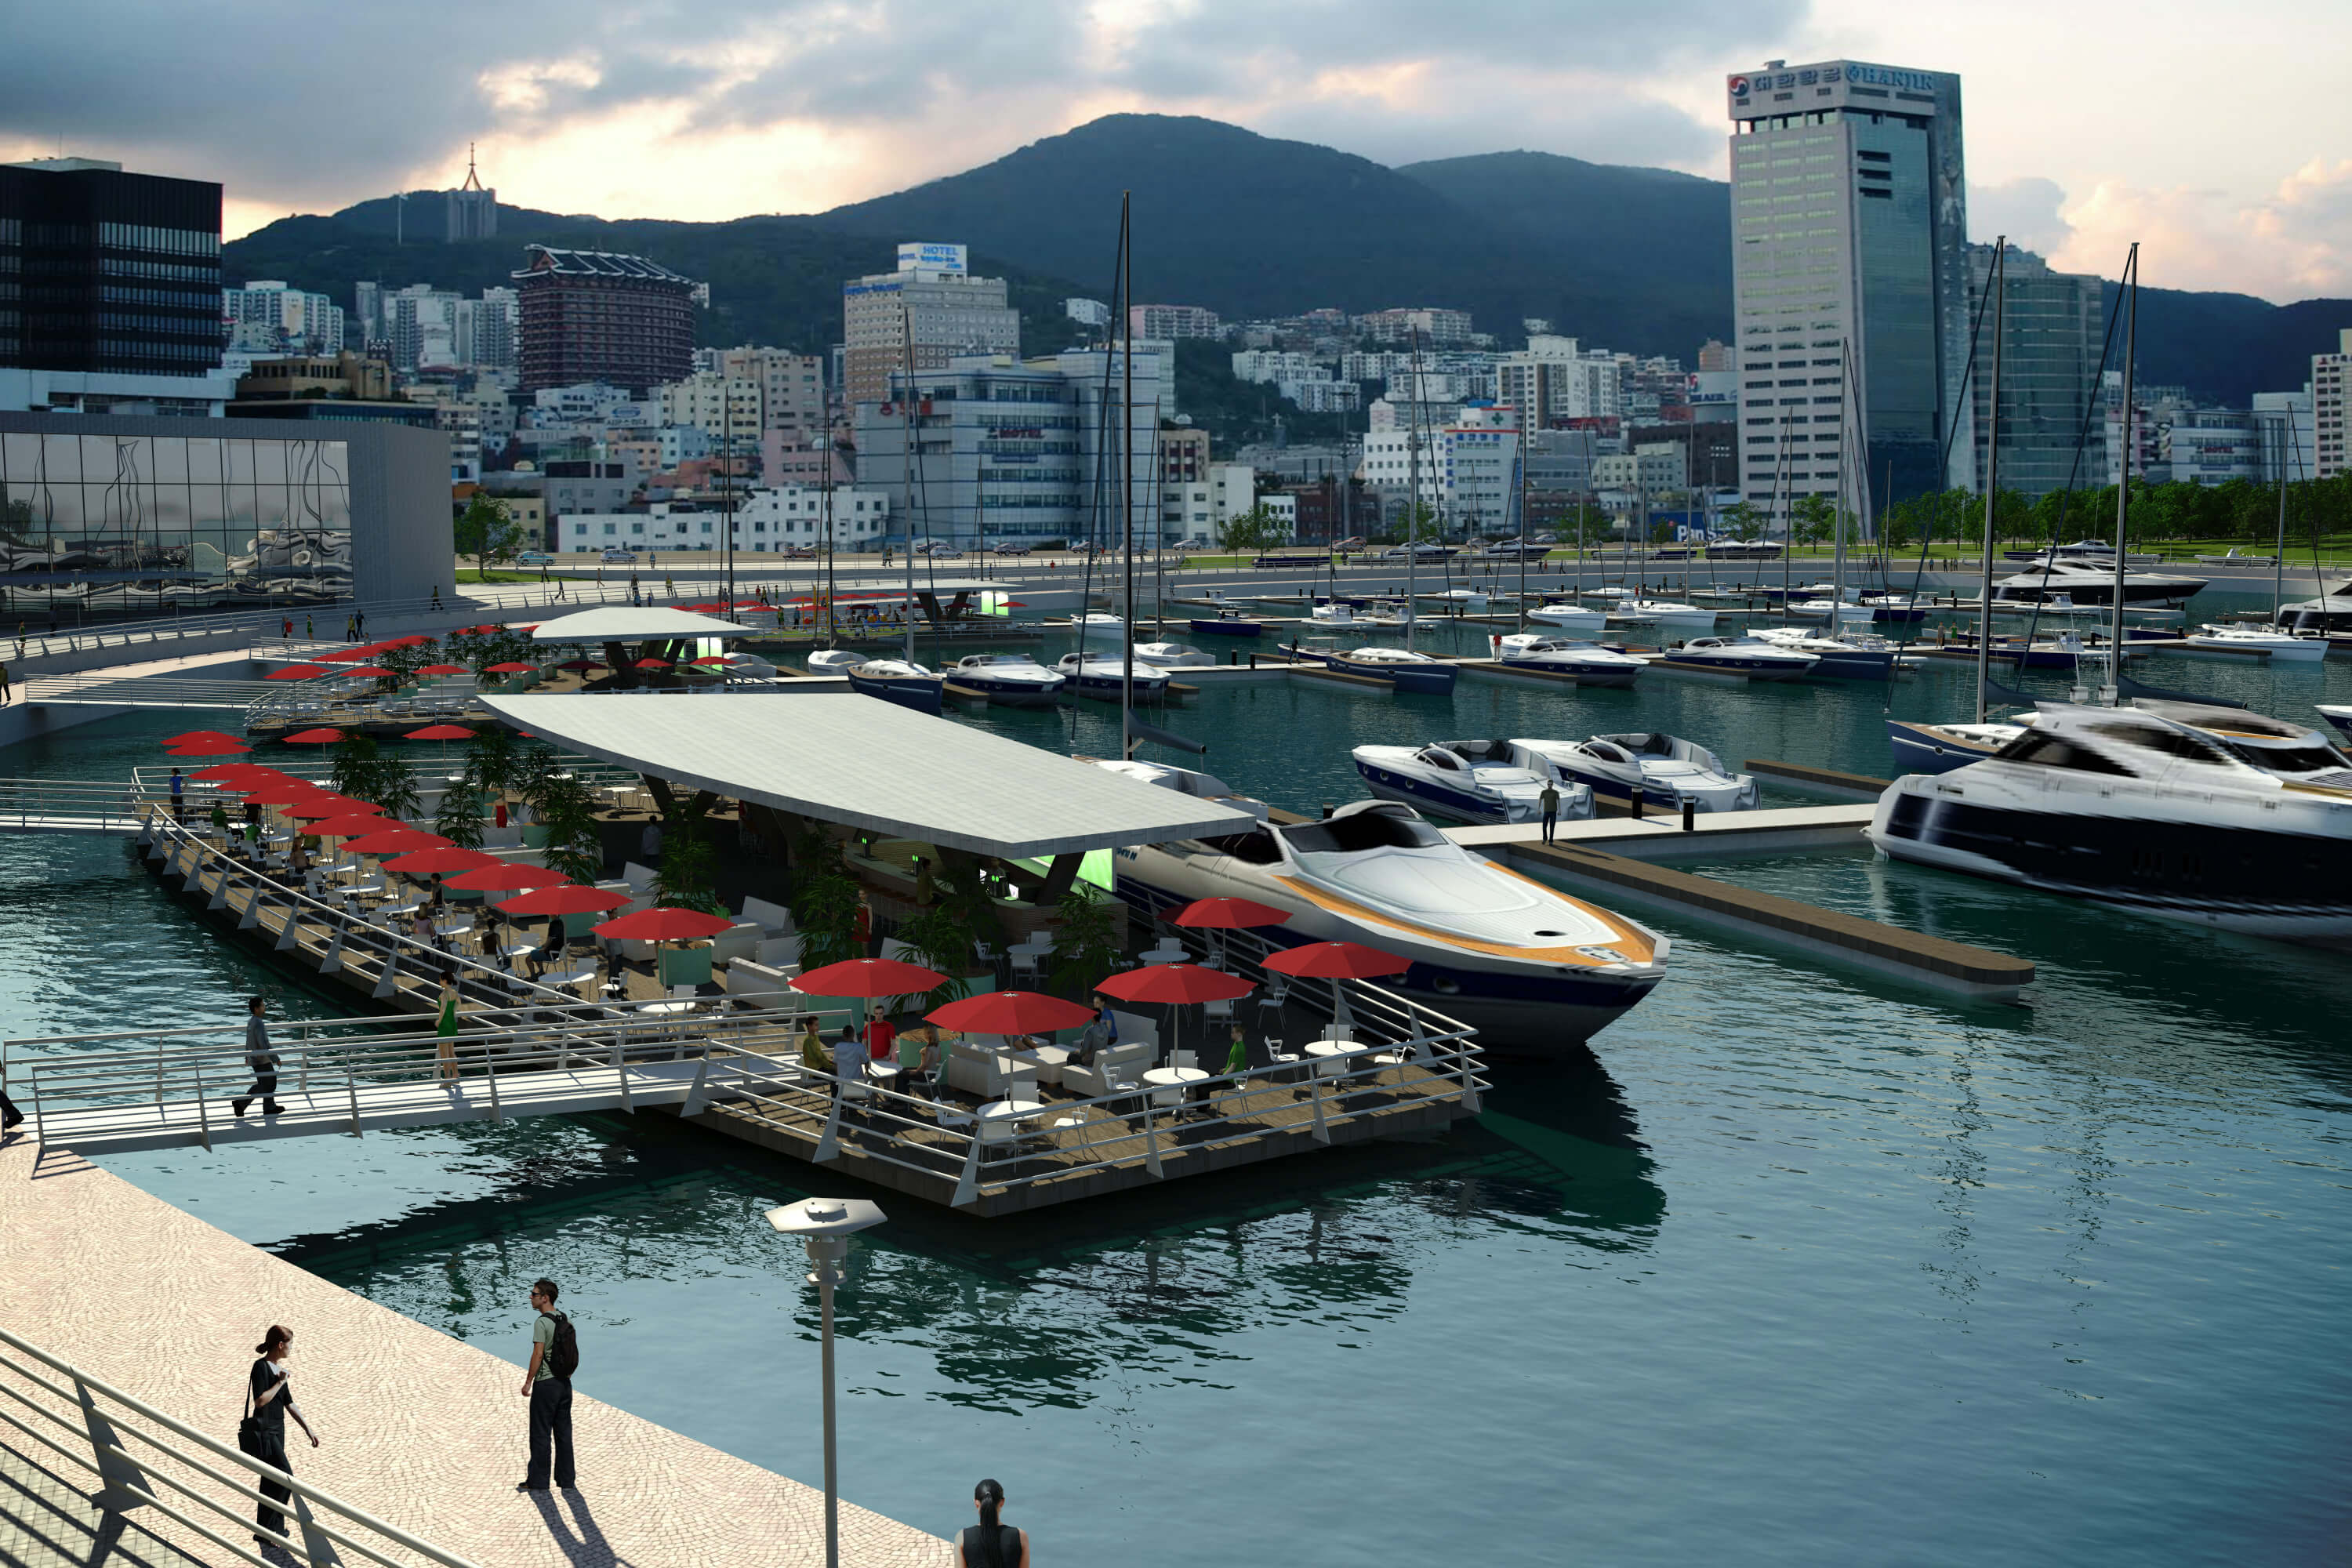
(1525, 965)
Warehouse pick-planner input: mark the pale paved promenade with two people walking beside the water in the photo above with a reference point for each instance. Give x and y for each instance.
(420, 1430)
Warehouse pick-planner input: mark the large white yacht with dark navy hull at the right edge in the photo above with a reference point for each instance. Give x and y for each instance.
(2137, 810)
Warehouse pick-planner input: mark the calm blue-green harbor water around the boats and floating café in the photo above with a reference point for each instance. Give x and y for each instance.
(1800, 1266)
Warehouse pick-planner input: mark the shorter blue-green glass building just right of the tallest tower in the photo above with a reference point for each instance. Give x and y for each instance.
(2057, 326)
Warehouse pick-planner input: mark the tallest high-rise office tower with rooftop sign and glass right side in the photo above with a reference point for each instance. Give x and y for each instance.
(1850, 229)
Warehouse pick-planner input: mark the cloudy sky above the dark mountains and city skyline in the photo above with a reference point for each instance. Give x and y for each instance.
(2221, 138)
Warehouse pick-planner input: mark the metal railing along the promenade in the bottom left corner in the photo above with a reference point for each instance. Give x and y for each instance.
(206, 1487)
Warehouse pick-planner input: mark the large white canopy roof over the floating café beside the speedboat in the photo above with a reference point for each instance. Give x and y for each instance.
(857, 760)
